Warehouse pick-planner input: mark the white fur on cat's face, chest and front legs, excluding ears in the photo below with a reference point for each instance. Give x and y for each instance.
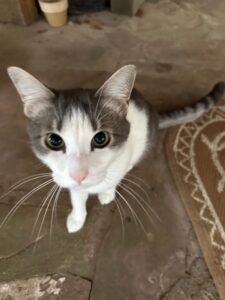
(106, 166)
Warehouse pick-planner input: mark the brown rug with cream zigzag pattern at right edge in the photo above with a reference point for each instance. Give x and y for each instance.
(196, 155)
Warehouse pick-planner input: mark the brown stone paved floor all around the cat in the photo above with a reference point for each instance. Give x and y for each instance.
(178, 47)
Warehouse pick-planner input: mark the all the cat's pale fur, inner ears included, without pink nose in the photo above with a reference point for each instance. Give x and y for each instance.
(105, 167)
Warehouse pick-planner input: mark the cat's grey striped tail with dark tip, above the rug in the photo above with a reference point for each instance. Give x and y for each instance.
(191, 112)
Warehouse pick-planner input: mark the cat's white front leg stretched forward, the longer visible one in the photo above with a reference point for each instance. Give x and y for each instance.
(77, 217)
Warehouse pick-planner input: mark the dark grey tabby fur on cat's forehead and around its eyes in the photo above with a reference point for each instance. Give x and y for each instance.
(101, 116)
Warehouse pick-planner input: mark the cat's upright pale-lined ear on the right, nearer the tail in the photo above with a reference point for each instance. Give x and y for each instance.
(119, 86)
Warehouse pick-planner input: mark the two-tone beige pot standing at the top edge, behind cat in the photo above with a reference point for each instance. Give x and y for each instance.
(55, 12)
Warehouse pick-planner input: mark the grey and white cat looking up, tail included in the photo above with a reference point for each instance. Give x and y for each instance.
(90, 139)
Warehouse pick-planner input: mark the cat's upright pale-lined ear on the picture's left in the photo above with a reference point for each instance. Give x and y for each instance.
(35, 96)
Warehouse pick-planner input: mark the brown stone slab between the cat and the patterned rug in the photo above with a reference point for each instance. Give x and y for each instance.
(162, 263)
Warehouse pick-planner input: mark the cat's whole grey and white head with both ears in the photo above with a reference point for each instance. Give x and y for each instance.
(77, 133)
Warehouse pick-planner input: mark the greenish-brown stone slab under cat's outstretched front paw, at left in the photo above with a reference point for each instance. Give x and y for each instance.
(59, 251)
